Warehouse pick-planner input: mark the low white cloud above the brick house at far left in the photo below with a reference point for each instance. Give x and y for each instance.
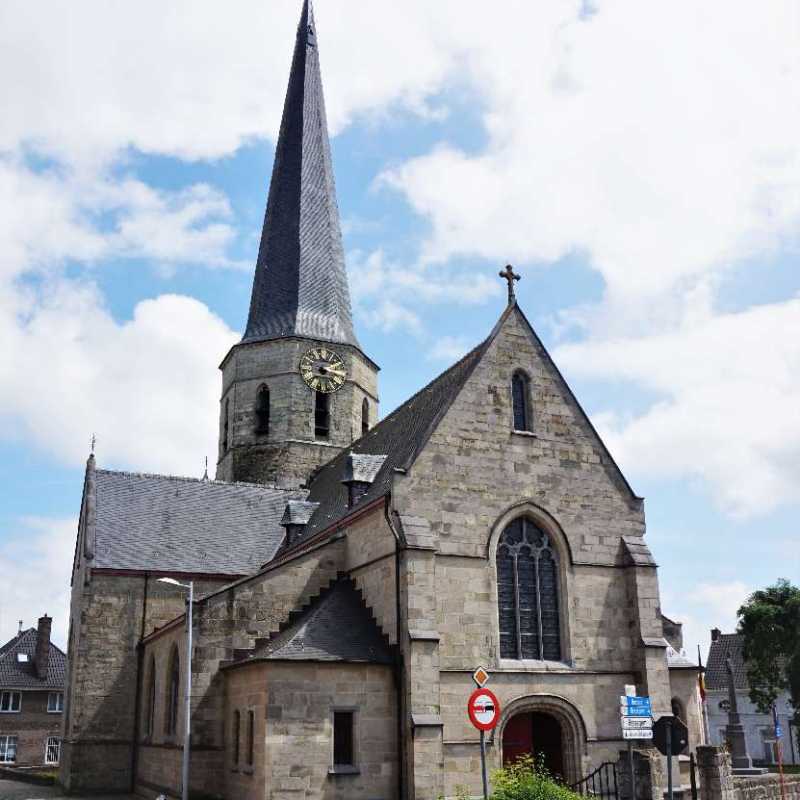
(37, 563)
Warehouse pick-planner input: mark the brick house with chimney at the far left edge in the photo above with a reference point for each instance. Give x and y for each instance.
(32, 677)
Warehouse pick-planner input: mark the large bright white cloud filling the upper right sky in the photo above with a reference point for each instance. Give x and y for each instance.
(662, 141)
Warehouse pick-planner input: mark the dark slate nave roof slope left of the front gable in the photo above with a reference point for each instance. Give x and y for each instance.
(399, 437)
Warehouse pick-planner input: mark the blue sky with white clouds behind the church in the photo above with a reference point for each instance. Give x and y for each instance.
(637, 162)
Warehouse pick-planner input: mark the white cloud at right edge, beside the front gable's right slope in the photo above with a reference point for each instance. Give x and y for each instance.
(728, 389)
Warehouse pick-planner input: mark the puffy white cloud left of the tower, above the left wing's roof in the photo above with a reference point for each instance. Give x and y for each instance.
(149, 387)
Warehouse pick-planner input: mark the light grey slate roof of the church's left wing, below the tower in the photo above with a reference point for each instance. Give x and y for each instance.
(161, 523)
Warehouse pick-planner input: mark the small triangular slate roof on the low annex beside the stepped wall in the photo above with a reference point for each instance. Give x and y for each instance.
(336, 627)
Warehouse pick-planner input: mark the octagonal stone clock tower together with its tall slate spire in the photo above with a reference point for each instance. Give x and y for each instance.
(297, 388)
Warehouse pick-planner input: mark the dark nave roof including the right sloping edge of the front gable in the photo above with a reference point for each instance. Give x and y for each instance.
(402, 435)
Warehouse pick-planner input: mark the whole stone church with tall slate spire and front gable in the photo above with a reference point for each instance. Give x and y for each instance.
(350, 573)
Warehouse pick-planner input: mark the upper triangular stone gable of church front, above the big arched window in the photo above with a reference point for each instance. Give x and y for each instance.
(515, 433)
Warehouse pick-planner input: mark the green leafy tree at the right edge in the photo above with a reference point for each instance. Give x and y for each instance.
(770, 624)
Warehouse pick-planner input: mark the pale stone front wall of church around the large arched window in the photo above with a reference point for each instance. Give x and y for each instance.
(473, 477)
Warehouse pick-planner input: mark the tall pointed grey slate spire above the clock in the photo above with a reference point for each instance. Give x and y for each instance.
(300, 286)
